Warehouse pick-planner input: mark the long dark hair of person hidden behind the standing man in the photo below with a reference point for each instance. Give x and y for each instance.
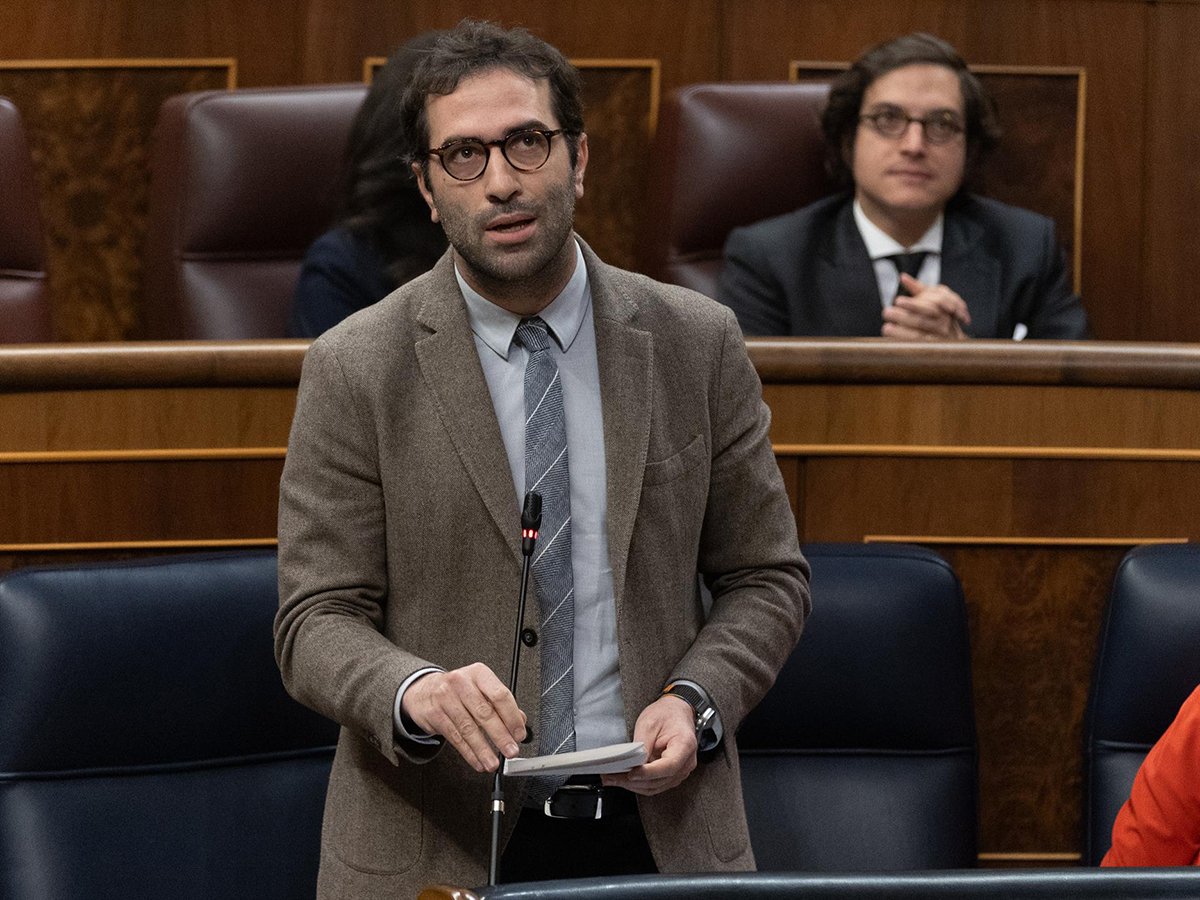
(381, 202)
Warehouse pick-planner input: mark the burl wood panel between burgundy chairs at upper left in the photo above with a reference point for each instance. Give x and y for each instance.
(89, 131)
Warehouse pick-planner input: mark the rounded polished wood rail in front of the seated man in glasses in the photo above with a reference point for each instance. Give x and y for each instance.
(877, 361)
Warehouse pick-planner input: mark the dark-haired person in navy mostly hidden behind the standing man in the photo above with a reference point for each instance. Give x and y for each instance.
(385, 236)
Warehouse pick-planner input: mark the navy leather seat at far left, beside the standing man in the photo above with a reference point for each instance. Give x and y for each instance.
(148, 748)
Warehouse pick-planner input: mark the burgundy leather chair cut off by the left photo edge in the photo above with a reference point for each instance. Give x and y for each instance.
(25, 299)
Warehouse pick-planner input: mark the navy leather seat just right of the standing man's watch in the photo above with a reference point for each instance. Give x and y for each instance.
(863, 755)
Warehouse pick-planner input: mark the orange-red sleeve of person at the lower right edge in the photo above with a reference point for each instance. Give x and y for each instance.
(1160, 825)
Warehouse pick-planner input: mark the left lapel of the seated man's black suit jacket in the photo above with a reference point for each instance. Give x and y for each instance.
(847, 289)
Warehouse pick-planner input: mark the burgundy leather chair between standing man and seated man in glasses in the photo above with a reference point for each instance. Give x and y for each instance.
(728, 155)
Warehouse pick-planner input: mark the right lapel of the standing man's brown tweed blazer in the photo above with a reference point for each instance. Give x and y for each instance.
(626, 358)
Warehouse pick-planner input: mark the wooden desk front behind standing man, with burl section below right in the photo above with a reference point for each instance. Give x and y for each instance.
(1033, 469)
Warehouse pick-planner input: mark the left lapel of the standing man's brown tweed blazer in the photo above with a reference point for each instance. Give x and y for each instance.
(452, 370)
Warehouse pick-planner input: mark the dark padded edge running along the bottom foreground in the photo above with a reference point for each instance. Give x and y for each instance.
(1033, 885)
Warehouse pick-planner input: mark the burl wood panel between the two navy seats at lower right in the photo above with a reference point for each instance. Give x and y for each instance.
(1035, 616)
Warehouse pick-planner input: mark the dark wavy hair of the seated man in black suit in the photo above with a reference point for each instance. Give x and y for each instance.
(841, 118)
